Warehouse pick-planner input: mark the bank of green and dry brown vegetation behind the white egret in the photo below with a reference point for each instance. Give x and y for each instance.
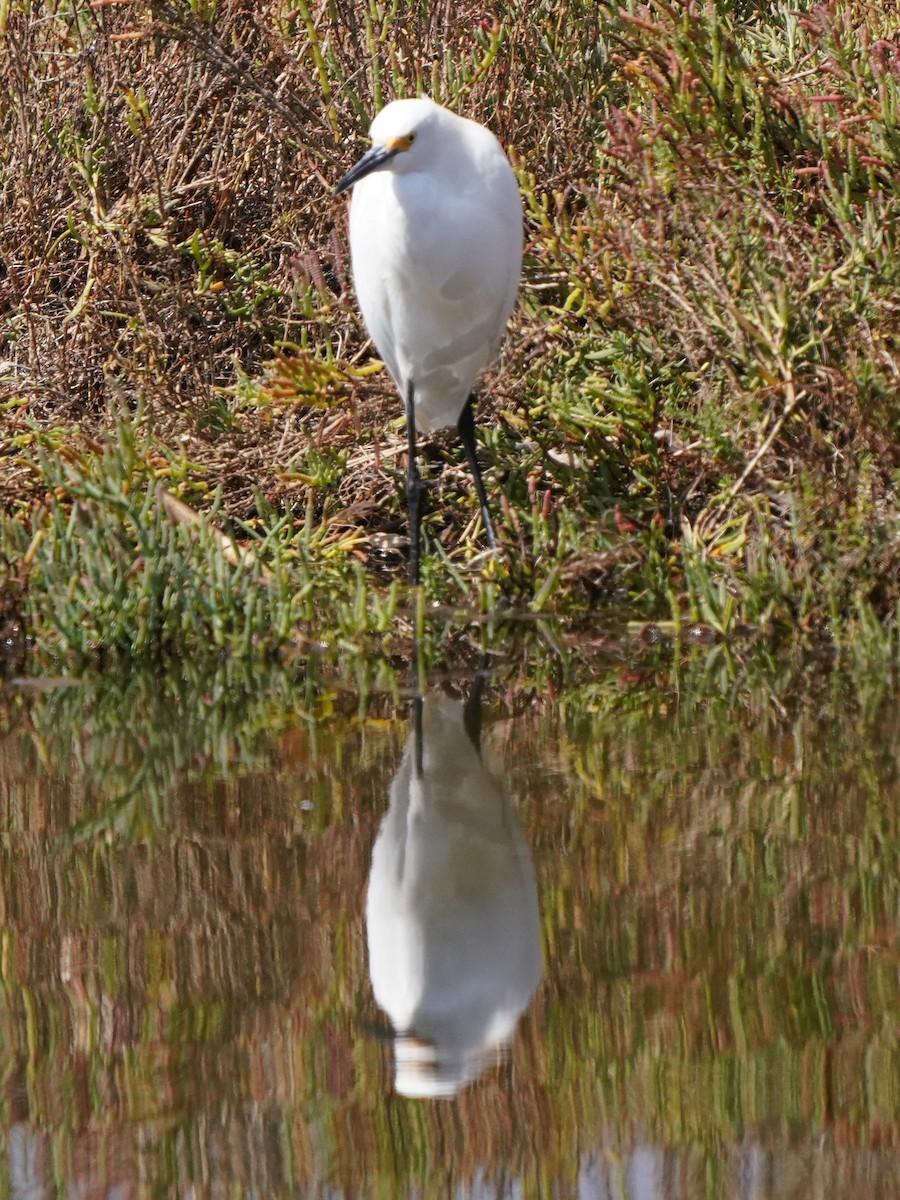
(697, 413)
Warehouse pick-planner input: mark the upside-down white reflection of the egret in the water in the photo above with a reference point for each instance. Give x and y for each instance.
(453, 921)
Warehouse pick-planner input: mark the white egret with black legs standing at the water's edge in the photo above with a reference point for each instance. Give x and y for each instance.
(436, 243)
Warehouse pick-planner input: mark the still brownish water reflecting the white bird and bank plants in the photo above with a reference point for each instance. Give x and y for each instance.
(632, 934)
